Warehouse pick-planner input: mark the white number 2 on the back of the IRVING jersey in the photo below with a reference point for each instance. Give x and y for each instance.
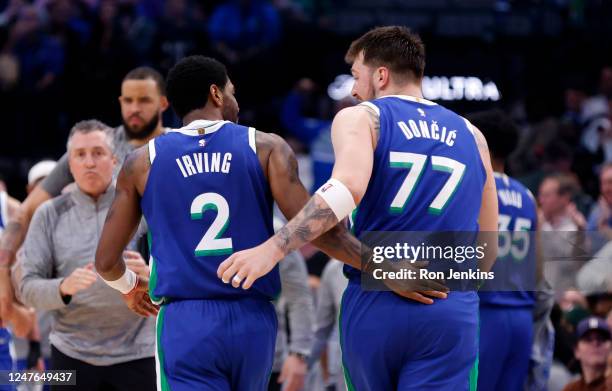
(212, 243)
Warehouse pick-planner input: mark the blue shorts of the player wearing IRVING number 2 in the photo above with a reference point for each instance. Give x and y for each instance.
(215, 345)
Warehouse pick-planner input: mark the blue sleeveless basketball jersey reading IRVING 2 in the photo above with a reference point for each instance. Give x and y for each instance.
(206, 197)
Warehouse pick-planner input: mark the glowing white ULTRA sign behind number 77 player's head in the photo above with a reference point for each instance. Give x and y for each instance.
(454, 88)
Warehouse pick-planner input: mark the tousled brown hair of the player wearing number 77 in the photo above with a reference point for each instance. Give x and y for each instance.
(395, 47)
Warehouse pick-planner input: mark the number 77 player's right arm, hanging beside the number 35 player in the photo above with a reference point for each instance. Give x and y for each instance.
(489, 212)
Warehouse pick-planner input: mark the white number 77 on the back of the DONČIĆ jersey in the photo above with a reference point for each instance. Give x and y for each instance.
(415, 162)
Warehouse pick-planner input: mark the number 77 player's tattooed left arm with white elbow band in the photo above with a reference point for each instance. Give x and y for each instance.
(353, 141)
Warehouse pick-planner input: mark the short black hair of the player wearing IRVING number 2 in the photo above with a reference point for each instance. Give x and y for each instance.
(189, 82)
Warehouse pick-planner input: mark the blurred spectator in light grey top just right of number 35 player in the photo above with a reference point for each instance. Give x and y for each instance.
(559, 214)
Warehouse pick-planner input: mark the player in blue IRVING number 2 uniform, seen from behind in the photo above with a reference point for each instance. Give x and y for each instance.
(206, 190)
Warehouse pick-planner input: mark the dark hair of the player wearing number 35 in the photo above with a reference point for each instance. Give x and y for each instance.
(498, 129)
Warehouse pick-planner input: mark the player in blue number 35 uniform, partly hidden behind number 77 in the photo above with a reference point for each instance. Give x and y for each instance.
(506, 320)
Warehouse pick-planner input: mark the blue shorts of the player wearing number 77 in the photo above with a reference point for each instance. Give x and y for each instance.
(391, 343)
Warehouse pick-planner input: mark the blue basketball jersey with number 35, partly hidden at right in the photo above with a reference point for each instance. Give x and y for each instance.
(516, 255)
